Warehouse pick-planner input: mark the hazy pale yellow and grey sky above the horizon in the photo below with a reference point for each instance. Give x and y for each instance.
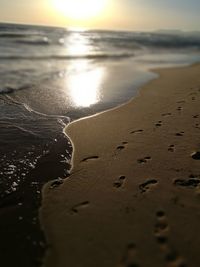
(104, 14)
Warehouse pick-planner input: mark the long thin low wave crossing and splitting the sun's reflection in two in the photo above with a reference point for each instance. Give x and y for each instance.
(70, 57)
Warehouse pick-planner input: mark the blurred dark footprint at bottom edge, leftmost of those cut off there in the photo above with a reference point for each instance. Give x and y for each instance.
(128, 259)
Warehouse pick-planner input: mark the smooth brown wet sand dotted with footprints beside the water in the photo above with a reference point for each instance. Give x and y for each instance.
(133, 195)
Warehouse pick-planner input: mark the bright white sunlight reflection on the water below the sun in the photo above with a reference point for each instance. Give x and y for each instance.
(84, 80)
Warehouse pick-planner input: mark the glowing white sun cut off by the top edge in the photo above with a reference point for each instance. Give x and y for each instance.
(80, 9)
